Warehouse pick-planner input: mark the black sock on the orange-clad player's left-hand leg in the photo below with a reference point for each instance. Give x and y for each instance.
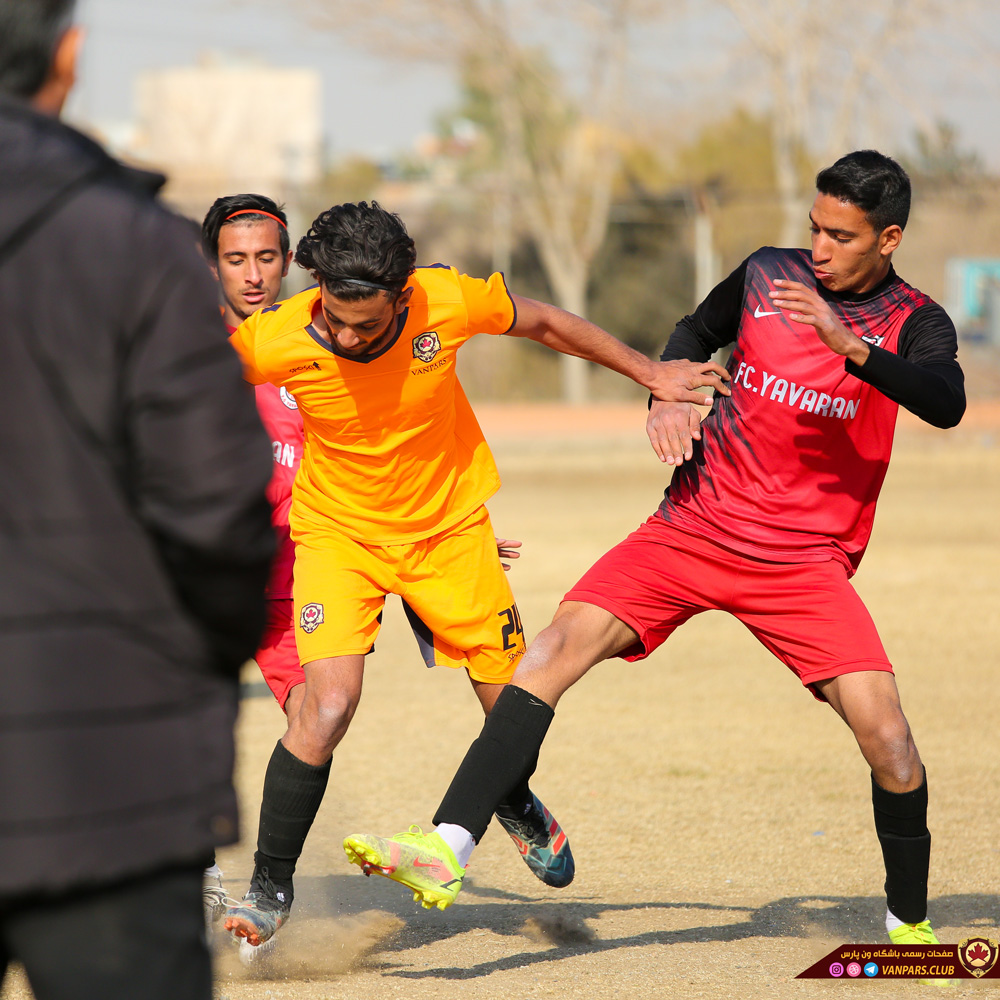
(293, 791)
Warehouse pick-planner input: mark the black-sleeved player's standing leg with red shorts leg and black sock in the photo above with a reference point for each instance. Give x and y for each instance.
(831, 642)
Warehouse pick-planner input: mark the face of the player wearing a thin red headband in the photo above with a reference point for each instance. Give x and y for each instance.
(250, 267)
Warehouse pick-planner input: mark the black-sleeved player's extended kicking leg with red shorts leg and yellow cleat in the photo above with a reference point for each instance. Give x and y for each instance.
(626, 604)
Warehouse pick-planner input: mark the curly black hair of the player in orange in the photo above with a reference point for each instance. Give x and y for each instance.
(358, 243)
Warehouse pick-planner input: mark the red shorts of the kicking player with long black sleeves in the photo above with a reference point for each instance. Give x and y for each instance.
(807, 614)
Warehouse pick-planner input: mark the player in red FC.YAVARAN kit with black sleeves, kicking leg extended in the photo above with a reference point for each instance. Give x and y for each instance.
(768, 513)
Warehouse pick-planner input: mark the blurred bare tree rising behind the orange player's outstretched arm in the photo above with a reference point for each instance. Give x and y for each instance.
(555, 145)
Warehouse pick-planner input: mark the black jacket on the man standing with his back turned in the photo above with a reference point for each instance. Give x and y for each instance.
(134, 534)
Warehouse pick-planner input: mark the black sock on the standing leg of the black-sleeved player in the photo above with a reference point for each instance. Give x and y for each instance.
(901, 825)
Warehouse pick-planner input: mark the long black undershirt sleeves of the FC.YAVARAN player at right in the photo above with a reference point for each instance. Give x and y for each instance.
(924, 376)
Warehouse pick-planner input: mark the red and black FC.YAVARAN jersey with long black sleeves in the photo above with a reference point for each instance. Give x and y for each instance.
(790, 465)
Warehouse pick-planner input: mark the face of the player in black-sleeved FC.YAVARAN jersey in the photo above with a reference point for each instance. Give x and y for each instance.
(847, 254)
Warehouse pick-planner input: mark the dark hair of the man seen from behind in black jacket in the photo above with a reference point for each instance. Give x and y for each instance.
(29, 33)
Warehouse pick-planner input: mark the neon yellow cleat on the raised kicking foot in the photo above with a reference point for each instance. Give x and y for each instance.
(421, 861)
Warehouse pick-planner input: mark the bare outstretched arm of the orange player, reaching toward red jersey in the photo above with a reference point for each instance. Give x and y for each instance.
(676, 381)
